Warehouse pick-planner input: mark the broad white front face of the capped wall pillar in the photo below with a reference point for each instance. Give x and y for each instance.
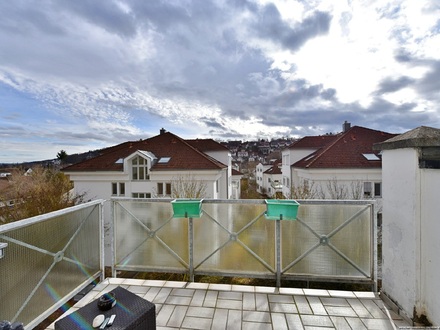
(400, 227)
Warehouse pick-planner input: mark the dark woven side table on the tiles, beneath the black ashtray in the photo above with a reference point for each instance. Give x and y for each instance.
(132, 313)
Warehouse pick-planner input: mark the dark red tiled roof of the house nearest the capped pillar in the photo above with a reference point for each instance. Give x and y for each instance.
(346, 150)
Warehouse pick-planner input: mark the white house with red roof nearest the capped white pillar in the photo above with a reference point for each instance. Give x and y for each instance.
(341, 166)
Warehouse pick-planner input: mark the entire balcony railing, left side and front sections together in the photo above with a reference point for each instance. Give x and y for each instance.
(50, 258)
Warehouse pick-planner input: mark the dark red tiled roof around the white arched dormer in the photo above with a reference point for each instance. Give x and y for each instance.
(183, 155)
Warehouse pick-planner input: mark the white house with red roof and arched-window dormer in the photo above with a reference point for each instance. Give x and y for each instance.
(147, 168)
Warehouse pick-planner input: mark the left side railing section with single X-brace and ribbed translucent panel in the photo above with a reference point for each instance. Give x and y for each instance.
(49, 259)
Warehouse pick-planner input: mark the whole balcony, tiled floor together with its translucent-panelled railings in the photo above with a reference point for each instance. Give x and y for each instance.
(51, 258)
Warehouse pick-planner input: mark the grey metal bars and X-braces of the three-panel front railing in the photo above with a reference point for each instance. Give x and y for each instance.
(278, 273)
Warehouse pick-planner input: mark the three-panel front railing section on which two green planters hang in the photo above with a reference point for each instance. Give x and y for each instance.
(330, 240)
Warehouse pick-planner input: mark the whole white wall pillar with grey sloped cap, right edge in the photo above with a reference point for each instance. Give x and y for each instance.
(411, 225)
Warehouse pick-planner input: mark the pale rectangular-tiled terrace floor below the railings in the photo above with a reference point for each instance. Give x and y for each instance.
(185, 305)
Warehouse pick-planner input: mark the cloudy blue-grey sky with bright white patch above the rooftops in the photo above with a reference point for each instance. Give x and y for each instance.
(86, 74)
